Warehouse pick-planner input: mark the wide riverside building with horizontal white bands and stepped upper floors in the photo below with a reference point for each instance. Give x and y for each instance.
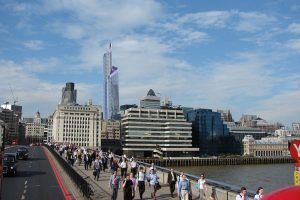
(149, 132)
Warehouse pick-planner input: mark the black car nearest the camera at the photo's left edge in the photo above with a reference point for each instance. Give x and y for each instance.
(10, 164)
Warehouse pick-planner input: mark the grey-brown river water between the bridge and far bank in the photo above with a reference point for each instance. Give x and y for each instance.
(269, 176)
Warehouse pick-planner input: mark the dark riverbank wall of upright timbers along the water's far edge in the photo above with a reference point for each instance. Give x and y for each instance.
(214, 161)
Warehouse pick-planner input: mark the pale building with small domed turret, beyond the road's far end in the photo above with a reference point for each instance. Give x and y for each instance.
(34, 128)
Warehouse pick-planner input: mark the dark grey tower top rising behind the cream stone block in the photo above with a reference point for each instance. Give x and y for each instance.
(69, 94)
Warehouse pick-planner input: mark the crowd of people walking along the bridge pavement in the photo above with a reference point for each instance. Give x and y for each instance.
(137, 178)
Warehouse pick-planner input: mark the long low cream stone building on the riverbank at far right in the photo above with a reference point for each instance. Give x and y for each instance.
(266, 147)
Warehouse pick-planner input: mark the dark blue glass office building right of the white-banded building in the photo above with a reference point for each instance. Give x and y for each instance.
(210, 134)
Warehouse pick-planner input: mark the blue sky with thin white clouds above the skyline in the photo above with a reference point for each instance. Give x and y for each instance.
(237, 55)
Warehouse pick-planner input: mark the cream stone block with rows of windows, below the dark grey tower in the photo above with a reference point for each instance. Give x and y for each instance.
(79, 125)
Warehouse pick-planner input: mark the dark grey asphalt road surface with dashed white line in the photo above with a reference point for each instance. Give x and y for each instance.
(35, 179)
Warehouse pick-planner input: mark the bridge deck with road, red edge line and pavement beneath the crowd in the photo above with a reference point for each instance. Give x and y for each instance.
(46, 175)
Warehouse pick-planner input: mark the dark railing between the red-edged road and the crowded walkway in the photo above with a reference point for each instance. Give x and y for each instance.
(80, 182)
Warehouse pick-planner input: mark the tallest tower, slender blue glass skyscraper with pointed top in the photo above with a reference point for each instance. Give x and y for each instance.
(111, 87)
